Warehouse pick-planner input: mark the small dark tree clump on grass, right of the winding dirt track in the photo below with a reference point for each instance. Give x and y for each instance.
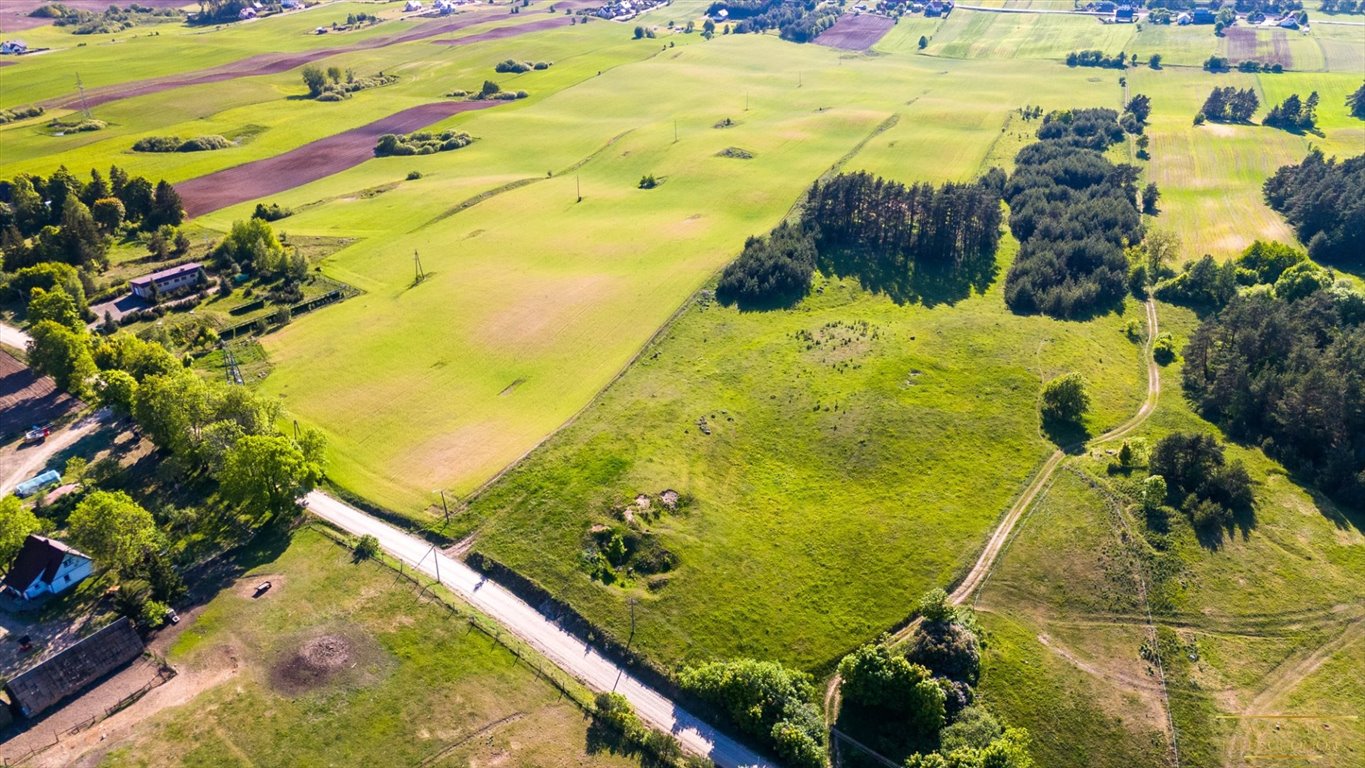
(1199, 479)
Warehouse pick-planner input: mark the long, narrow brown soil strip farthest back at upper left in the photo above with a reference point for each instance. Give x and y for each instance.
(276, 63)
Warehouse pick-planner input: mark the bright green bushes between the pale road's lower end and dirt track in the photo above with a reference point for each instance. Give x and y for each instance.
(768, 702)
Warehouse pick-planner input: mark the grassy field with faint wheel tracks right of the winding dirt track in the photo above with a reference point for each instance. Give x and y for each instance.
(1250, 624)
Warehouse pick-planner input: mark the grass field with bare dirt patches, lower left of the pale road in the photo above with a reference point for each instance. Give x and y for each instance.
(343, 664)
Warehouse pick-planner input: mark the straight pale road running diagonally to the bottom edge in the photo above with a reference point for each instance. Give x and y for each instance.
(562, 649)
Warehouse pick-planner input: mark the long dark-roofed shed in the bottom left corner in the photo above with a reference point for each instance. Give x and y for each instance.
(74, 668)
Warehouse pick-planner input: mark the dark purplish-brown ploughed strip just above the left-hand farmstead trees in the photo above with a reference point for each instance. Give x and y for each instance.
(309, 163)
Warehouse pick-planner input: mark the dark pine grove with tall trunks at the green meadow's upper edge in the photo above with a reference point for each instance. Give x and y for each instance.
(892, 237)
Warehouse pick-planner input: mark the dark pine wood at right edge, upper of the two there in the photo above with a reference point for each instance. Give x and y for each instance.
(1325, 201)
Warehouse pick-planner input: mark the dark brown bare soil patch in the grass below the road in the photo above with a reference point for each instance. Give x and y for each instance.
(331, 658)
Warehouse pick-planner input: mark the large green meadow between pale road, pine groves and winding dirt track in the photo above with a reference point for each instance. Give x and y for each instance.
(858, 452)
